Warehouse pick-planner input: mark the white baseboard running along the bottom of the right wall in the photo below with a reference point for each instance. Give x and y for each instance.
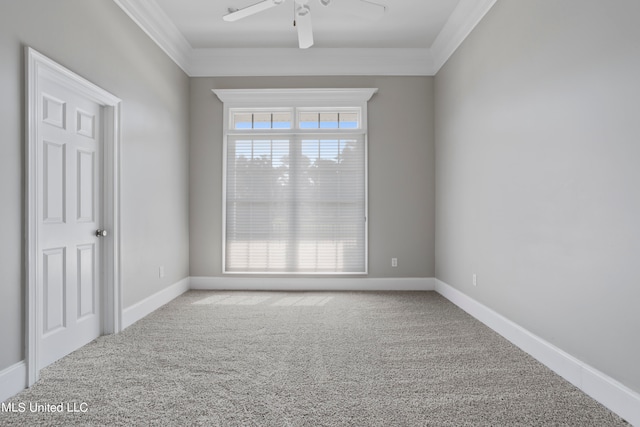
(612, 394)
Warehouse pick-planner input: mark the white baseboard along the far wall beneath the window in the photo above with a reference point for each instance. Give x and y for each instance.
(313, 284)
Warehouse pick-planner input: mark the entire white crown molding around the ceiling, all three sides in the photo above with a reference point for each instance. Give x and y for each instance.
(308, 62)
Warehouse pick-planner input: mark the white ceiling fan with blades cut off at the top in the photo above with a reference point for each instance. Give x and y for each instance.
(302, 18)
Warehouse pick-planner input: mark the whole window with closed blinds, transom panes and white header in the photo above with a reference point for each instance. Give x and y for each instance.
(295, 184)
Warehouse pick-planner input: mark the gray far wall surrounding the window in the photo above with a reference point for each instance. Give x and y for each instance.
(401, 170)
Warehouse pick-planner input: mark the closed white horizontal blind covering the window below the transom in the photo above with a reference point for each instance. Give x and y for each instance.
(296, 203)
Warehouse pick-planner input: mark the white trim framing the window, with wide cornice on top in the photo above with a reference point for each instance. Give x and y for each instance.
(296, 99)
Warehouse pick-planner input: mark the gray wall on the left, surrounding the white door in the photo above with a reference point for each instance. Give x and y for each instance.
(98, 41)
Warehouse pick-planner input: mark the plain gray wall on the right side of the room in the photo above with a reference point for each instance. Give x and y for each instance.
(538, 173)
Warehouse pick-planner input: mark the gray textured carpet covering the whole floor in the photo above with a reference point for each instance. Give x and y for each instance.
(306, 359)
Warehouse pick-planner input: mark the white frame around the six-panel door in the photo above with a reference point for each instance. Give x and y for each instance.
(38, 66)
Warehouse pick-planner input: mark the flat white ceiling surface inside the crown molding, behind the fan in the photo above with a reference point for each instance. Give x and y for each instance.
(406, 24)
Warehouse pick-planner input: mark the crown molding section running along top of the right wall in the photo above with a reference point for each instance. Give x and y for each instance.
(462, 21)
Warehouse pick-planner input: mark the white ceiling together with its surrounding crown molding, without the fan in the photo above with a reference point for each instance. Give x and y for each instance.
(413, 37)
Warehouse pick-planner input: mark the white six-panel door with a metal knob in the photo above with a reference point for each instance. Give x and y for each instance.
(70, 150)
